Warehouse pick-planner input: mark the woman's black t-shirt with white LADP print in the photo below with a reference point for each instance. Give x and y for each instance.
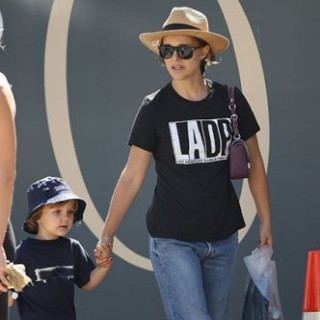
(194, 199)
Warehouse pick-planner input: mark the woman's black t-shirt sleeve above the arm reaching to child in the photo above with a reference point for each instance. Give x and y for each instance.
(143, 133)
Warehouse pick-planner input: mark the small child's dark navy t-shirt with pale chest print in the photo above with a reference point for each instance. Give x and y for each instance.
(54, 266)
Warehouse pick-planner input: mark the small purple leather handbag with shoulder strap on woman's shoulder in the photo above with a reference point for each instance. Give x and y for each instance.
(238, 153)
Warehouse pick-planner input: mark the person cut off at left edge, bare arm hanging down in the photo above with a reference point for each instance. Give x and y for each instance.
(7, 176)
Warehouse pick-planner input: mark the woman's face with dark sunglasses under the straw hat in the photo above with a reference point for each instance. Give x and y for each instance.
(179, 68)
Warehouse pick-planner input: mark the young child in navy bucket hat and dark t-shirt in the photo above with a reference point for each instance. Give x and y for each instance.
(54, 262)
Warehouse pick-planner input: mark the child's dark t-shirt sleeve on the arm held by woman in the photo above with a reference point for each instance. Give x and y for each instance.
(83, 264)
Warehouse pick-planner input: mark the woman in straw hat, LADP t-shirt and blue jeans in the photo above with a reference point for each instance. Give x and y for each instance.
(195, 214)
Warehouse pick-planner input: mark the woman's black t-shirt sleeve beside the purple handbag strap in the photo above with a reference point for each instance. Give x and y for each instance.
(248, 125)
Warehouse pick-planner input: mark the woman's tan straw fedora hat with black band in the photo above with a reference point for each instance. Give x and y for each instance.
(185, 21)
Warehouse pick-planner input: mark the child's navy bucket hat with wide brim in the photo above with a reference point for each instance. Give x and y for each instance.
(51, 190)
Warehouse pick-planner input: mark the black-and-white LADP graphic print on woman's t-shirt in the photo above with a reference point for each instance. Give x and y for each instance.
(200, 140)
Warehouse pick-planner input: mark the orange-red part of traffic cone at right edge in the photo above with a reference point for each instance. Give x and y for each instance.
(312, 286)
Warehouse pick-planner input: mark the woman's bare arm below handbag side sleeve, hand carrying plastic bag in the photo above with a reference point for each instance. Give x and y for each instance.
(260, 191)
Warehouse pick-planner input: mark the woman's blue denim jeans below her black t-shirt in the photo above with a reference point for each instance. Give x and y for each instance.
(194, 278)
